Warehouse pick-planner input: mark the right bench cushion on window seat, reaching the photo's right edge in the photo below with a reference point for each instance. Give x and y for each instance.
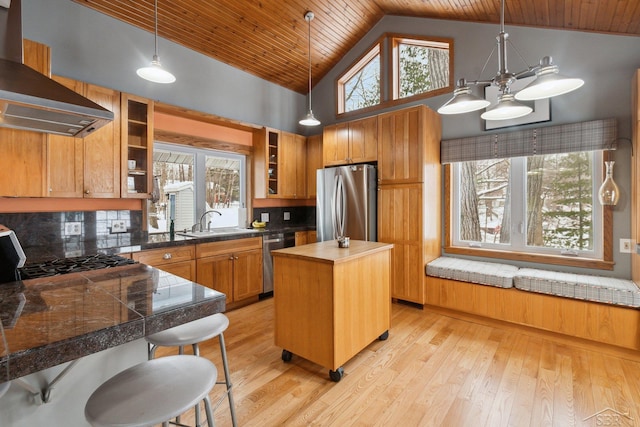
(579, 286)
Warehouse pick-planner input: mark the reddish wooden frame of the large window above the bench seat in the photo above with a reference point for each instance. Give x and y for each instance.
(606, 238)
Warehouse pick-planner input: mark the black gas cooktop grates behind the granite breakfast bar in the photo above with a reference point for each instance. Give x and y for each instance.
(60, 266)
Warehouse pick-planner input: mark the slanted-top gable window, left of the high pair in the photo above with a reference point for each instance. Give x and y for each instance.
(359, 87)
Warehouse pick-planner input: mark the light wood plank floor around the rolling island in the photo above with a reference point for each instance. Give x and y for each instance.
(433, 370)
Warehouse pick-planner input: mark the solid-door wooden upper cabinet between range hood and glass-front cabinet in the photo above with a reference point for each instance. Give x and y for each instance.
(90, 166)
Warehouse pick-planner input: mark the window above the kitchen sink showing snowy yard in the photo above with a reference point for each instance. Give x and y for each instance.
(191, 181)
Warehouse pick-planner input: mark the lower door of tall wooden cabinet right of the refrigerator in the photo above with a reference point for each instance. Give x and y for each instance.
(402, 225)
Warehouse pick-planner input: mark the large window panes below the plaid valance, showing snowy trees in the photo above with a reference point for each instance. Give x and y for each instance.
(542, 204)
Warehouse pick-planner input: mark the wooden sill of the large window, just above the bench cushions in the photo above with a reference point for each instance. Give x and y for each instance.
(526, 257)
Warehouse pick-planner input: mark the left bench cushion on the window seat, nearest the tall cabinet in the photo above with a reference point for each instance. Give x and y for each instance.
(484, 273)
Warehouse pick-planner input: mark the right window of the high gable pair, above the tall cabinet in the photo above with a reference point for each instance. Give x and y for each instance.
(420, 66)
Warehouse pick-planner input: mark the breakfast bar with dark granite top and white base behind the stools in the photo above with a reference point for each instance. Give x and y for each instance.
(86, 326)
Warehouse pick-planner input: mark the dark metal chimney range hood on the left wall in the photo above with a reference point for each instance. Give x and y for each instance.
(32, 101)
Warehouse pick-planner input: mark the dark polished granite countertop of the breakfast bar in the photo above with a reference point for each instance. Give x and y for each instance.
(53, 320)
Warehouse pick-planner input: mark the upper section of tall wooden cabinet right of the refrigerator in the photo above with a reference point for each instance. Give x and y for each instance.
(409, 142)
